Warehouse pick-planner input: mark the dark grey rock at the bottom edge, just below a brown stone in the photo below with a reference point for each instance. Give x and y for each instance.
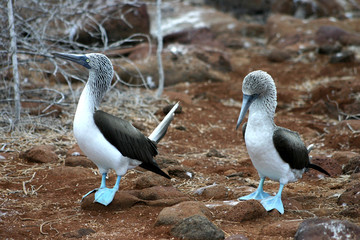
(197, 228)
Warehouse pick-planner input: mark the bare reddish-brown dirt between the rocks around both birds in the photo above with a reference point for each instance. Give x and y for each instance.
(51, 207)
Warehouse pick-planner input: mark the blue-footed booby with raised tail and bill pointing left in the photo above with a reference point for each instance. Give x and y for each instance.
(110, 142)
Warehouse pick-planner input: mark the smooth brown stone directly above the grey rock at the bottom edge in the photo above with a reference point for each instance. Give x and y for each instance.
(174, 214)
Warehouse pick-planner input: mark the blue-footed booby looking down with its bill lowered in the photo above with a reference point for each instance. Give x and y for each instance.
(276, 153)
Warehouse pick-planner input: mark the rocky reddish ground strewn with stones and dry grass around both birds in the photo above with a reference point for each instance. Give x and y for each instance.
(315, 65)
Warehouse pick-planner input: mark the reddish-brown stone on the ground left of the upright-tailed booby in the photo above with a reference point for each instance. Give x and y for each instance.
(40, 154)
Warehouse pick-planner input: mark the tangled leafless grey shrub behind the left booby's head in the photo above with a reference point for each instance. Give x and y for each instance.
(43, 27)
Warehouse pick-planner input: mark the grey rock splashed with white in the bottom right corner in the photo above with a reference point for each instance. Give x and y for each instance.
(323, 228)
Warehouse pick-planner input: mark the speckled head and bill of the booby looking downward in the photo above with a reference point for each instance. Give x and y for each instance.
(257, 84)
